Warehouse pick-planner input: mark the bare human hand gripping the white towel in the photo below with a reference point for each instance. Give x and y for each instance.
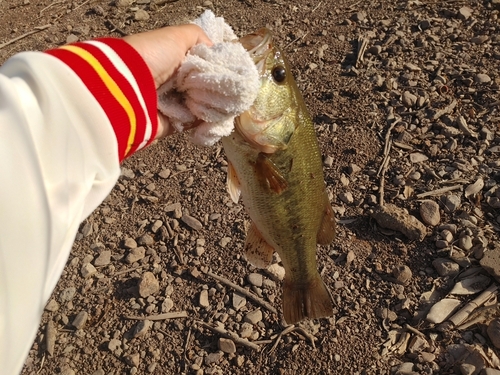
(164, 50)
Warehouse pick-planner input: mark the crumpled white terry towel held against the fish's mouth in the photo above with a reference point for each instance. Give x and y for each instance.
(214, 84)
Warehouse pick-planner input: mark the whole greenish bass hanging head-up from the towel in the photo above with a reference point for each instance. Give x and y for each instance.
(275, 166)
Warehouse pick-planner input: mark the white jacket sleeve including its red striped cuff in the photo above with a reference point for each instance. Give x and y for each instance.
(60, 148)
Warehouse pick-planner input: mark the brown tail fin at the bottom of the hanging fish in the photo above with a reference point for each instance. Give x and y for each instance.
(306, 300)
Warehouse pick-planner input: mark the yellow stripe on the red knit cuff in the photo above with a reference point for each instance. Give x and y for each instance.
(112, 87)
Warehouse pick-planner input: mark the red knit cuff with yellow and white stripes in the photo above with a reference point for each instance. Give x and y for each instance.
(119, 79)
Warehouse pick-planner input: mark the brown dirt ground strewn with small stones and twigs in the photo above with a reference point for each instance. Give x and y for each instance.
(411, 44)
